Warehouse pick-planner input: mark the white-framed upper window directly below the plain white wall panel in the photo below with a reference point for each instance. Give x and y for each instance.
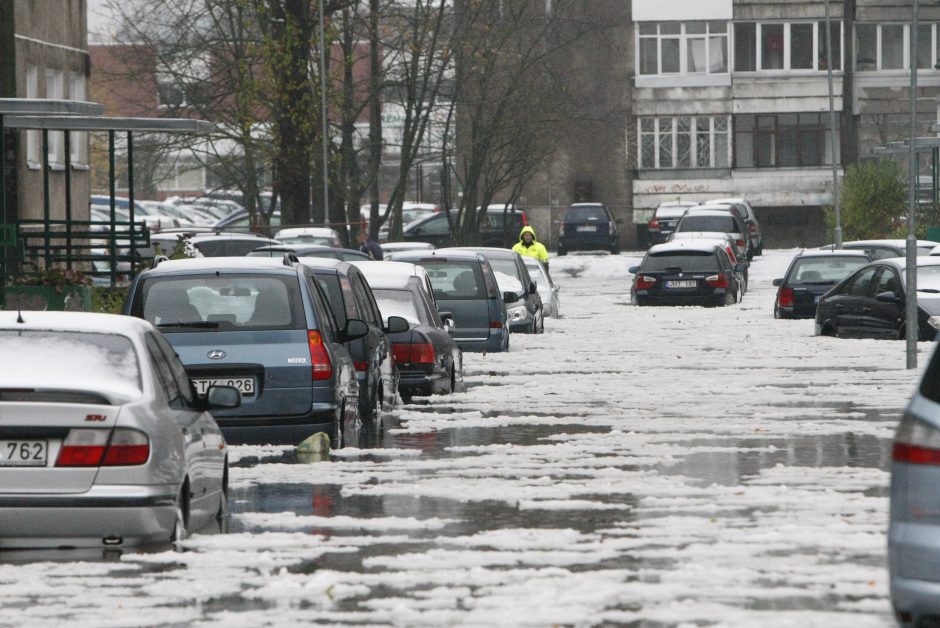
(683, 47)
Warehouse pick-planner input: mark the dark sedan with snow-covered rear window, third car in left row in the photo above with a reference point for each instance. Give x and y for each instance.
(429, 360)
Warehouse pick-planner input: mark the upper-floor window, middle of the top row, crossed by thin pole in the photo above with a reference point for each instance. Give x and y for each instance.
(785, 46)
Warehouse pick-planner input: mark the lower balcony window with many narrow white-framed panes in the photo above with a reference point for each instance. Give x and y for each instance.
(684, 142)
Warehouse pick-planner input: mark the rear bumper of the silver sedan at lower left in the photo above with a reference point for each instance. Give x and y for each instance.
(124, 515)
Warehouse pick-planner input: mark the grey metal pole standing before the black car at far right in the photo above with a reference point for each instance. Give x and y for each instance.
(912, 326)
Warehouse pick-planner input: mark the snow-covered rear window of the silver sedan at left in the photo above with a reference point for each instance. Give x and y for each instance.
(71, 360)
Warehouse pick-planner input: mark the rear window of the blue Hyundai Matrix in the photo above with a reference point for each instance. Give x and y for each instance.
(221, 302)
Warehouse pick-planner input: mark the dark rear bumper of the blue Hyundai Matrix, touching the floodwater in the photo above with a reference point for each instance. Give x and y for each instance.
(279, 430)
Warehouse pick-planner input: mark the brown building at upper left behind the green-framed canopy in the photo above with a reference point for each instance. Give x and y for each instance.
(43, 54)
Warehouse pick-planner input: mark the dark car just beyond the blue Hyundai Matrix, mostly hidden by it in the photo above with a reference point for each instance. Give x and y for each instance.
(350, 297)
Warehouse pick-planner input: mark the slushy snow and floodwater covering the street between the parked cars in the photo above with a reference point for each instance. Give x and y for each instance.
(642, 466)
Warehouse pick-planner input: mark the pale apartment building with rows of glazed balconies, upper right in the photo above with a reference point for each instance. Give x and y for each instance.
(731, 98)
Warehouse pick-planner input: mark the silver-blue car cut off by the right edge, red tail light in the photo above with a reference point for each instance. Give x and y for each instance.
(914, 528)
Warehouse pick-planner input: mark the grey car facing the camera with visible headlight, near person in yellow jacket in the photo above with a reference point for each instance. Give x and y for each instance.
(525, 312)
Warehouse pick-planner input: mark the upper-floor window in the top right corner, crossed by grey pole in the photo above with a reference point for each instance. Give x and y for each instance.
(887, 47)
